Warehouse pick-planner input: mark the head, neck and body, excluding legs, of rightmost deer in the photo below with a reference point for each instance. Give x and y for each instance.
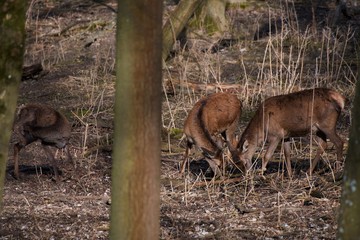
(292, 115)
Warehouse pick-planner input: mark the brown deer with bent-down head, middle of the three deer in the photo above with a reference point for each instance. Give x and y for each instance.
(212, 116)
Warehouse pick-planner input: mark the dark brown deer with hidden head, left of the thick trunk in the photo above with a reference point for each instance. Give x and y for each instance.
(40, 122)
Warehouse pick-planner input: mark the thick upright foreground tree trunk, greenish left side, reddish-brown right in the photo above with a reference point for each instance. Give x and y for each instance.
(135, 206)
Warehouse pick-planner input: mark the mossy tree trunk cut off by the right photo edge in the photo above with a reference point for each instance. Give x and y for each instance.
(349, 216)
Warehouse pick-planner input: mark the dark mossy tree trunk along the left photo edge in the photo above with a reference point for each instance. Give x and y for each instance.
(12, 38)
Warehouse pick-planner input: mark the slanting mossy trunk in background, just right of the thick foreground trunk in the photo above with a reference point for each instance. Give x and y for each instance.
(176, 23)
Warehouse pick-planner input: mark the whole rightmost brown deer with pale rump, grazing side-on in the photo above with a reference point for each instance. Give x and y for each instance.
(294, 115)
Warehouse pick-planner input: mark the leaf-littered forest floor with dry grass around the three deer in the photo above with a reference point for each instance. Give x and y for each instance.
(74, 41)
